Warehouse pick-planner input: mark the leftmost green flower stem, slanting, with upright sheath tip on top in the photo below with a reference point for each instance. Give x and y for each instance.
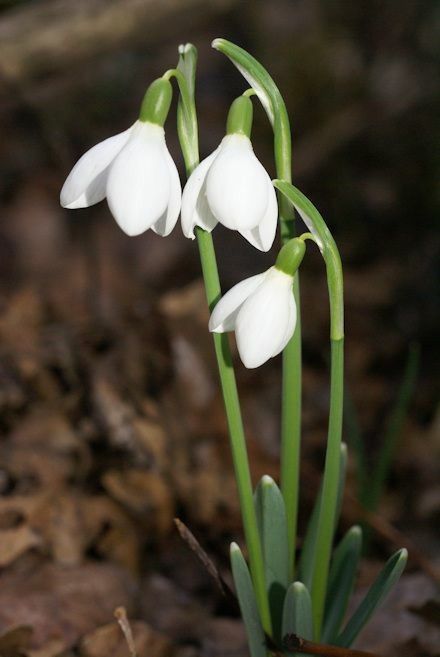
(187, 127)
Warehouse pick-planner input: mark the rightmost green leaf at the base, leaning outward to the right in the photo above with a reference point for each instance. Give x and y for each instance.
(375, 596)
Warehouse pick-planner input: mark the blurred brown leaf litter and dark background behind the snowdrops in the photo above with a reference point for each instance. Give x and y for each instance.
(111, 416)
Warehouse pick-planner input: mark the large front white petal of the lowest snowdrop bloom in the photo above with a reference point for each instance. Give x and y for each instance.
(265, 320)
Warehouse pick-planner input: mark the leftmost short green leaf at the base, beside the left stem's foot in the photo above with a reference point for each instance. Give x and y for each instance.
(248, 603)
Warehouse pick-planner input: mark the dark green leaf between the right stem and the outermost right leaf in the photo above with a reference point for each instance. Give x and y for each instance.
(342, 578)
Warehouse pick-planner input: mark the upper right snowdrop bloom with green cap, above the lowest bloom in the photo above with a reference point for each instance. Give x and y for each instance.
(232, 187)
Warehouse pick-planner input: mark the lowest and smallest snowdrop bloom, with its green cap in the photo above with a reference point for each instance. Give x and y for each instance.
(261, 309)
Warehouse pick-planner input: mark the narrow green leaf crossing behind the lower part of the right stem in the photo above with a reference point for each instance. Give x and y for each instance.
(307, 559)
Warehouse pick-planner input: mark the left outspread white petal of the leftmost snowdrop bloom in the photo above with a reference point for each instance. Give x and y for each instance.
(85, 185)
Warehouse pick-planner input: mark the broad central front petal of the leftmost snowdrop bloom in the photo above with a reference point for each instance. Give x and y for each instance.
(138, 185)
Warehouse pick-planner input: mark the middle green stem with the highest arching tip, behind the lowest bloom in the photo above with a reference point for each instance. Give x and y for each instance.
(273, 103)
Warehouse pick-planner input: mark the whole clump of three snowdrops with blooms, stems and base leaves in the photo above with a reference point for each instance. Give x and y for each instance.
(279, 594)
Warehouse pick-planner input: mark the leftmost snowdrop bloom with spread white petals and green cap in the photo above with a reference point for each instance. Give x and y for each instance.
(133, 170)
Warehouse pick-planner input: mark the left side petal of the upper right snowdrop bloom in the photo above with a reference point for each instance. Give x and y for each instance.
(195, 209)
